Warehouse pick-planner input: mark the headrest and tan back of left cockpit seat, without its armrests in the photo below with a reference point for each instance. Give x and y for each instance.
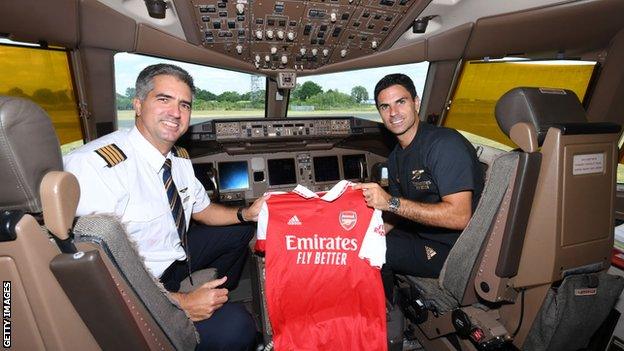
(42, 315)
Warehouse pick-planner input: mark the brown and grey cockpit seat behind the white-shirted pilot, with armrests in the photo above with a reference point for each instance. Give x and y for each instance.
(86, 292)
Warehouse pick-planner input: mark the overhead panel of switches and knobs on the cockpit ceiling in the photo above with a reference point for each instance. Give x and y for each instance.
(300, 34)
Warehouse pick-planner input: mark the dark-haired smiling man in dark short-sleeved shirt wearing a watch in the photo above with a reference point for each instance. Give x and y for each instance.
(435, 182)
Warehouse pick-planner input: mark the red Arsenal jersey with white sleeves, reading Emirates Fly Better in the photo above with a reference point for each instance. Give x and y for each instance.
(323, 285)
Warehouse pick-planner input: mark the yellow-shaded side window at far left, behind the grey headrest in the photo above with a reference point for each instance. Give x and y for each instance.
(43, 76)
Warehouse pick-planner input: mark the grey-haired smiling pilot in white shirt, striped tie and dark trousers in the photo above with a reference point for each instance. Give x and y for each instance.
(141, 177)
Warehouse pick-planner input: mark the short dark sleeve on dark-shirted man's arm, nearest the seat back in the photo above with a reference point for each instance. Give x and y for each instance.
(452, 164)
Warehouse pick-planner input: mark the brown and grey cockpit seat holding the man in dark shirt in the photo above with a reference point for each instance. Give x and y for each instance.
(504, 263)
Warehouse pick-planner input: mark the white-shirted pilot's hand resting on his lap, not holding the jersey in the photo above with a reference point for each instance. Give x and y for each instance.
(201, 303)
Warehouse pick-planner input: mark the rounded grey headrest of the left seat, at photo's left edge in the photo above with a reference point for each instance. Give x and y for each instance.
(29, 149)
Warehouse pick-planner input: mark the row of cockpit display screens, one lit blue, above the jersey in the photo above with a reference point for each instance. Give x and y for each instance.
(236, 178)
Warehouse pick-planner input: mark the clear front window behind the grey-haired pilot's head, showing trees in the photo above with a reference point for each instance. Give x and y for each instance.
(220, 93)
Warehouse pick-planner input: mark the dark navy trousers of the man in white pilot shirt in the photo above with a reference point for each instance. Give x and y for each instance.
(226, 249)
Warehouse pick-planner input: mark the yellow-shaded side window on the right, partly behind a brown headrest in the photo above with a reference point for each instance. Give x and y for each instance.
(481, 84)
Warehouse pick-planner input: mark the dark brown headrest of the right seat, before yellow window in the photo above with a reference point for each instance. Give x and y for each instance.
(539, 107)
